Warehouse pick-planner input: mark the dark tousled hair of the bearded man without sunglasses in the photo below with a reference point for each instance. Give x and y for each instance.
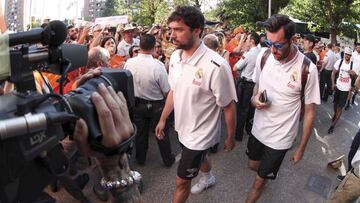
(190, 15)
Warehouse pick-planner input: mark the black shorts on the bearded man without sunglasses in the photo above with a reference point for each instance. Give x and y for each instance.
(190, 162)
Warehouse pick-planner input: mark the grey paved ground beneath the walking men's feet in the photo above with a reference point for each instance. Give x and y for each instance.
(309, 181)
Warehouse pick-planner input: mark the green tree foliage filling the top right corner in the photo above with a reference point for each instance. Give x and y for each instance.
(334, 16)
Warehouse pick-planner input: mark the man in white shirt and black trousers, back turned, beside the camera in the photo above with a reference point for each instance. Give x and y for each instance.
(151, 87)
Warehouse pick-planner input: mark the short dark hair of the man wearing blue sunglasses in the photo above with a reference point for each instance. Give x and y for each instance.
(276, 22)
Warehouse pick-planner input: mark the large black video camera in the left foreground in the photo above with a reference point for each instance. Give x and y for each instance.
(32, 124)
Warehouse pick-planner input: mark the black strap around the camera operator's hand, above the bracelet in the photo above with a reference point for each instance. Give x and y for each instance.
(125, 147)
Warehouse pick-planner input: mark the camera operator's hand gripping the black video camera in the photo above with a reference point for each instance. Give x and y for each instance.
(114, 121)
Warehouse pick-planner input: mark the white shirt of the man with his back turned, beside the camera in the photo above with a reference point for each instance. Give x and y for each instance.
(149, 76)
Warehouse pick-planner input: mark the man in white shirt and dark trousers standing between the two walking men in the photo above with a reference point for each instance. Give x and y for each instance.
(246, 66)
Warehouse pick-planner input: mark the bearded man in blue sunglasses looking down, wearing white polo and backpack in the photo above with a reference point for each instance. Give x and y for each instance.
(277, 114)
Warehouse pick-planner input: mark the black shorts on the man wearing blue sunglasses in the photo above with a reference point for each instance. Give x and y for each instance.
(270, 159)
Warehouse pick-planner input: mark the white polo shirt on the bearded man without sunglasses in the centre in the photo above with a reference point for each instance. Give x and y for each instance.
(201, 85)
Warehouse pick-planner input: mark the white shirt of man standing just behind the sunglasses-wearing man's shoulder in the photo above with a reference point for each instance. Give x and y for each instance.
(246, 64)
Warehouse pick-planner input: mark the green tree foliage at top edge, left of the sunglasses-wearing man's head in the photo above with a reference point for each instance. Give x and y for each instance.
(248, 12)
